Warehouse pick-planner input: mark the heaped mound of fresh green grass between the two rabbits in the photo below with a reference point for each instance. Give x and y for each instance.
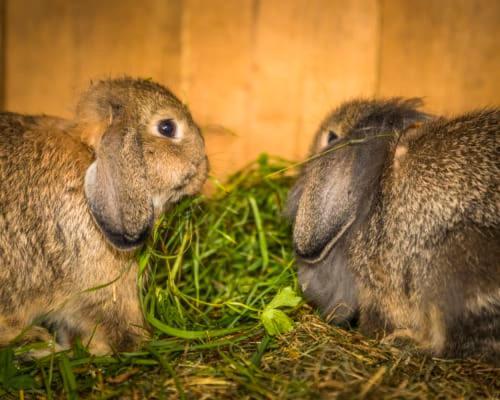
(216, 263)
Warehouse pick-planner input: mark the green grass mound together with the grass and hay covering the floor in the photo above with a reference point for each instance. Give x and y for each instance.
(219, 288)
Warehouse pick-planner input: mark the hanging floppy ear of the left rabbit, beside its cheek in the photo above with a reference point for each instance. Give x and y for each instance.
(116, 186)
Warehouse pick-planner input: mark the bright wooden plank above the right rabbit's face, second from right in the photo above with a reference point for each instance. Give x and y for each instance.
(309, 56)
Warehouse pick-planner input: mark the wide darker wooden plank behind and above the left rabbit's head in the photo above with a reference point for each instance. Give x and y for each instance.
(55, 47)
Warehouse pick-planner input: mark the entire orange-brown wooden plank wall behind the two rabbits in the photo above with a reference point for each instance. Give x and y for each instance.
(259, 75)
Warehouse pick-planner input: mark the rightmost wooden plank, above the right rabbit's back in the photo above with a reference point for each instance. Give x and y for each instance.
(446, 51)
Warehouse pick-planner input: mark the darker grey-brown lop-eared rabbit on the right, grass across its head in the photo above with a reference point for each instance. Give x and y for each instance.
(396, 218)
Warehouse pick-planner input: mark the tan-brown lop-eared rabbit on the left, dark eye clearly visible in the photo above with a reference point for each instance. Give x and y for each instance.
(77, 197)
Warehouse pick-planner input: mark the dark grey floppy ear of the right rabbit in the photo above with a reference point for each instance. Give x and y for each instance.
(337, 192)
